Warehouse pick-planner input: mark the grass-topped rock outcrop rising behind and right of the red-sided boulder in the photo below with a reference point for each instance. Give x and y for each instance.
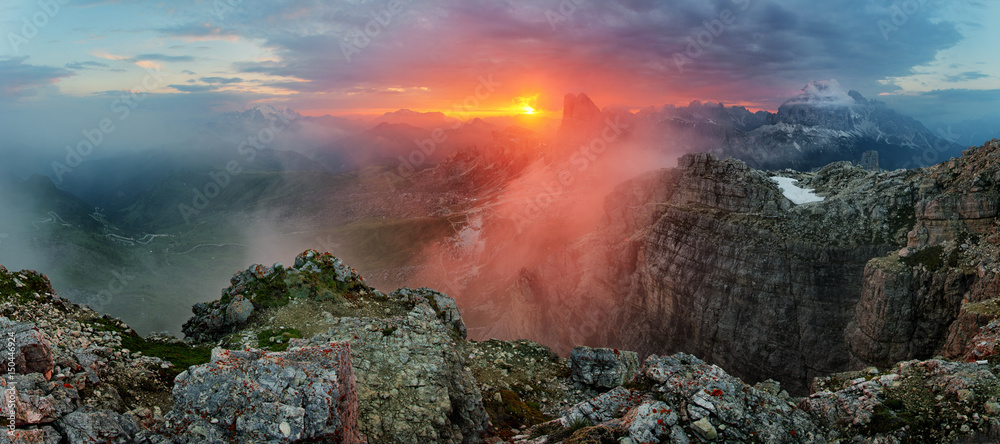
(412, 382)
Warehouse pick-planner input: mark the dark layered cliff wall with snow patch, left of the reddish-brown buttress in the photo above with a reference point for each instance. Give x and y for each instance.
(712, 259)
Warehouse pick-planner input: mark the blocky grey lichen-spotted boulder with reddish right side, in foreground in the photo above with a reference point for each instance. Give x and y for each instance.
(306, 393)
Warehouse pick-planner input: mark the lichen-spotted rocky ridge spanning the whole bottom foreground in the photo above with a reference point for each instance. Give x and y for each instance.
(310, 353)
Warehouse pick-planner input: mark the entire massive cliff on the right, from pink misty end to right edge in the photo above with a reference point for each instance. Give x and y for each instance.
(711, 258)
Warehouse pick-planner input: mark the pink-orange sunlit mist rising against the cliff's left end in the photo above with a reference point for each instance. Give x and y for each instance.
(525, 234)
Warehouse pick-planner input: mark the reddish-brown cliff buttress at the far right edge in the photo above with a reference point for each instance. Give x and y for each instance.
(933, 296)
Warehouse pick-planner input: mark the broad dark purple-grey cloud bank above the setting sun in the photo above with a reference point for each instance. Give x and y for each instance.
(762, 48)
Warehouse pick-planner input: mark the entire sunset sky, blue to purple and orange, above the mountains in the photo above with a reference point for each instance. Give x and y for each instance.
(365, 56)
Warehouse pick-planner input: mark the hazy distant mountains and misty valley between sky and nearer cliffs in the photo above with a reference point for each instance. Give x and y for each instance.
(349, 184)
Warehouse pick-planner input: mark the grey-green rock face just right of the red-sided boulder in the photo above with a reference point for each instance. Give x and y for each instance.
(412, 382)
